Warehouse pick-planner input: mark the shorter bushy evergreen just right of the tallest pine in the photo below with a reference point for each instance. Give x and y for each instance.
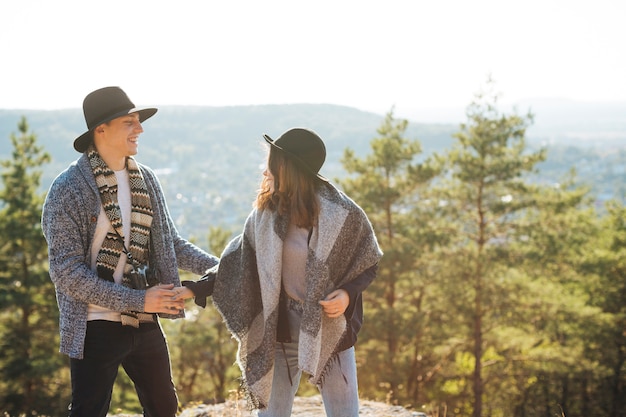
(544, 334)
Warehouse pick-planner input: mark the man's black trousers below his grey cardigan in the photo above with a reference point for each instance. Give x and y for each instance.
(144, 355)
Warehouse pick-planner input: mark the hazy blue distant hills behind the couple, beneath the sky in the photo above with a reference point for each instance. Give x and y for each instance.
(209, 158)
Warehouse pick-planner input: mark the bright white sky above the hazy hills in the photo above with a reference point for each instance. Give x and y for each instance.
(421, 59)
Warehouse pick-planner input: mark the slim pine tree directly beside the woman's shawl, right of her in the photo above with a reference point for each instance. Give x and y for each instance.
(385, 183)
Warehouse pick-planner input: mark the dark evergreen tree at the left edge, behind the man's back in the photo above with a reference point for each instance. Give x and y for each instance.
(33, 376)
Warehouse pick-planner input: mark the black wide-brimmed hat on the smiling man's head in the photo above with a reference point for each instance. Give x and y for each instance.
(104, 105)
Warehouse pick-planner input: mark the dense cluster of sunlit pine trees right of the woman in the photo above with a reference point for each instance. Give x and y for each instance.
(481, 305)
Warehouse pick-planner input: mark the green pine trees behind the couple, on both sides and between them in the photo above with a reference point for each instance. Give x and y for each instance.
(497, 295)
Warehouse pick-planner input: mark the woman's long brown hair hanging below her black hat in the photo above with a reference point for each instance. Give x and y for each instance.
(295, 190)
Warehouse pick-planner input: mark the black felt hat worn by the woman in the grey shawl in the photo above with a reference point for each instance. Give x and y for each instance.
(304, 146)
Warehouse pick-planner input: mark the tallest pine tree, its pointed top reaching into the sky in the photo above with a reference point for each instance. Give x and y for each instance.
(482, 193)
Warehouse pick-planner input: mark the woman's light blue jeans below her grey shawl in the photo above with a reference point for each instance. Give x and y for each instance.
(339, 390)
